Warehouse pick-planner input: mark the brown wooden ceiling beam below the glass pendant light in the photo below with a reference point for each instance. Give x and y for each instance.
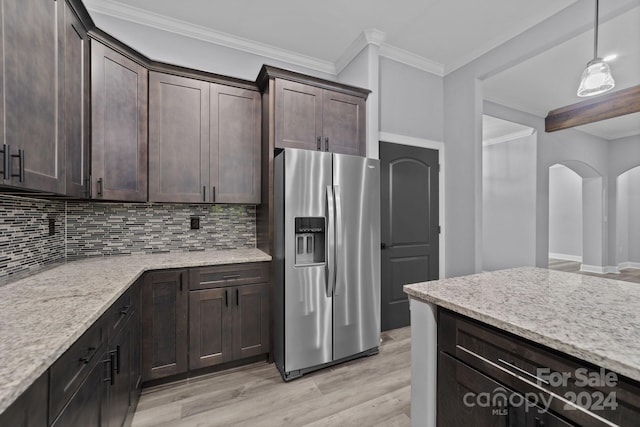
(604, 107)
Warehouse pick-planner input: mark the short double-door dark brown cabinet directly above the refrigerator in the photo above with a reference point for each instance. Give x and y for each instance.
(315, 114)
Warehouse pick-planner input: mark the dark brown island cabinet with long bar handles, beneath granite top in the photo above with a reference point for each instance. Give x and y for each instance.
(488, 377)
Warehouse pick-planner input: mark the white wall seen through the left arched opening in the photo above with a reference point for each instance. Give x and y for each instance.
(565, 213)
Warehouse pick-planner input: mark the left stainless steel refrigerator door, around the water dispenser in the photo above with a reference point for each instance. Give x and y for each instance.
(307, 317)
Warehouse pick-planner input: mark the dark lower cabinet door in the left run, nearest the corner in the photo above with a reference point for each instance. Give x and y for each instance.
(120, 390)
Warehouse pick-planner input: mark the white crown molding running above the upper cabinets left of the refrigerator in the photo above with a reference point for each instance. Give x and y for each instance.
(176, 26)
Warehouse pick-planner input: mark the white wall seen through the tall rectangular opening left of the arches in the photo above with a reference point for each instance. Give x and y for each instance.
(509, 198)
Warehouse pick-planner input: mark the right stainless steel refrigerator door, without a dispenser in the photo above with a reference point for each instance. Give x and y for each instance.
(356, 300)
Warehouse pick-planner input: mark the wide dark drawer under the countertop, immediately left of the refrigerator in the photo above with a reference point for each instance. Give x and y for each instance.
(228, 275)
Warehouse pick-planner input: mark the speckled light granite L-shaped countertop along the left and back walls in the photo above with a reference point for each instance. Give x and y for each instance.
(41, 316)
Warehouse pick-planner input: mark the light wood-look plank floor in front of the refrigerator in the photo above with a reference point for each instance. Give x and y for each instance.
(371, 391)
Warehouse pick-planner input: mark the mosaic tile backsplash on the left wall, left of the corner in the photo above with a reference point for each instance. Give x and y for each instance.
(25, 243)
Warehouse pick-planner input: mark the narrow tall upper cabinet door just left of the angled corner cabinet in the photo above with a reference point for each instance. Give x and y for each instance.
(75, 55)
